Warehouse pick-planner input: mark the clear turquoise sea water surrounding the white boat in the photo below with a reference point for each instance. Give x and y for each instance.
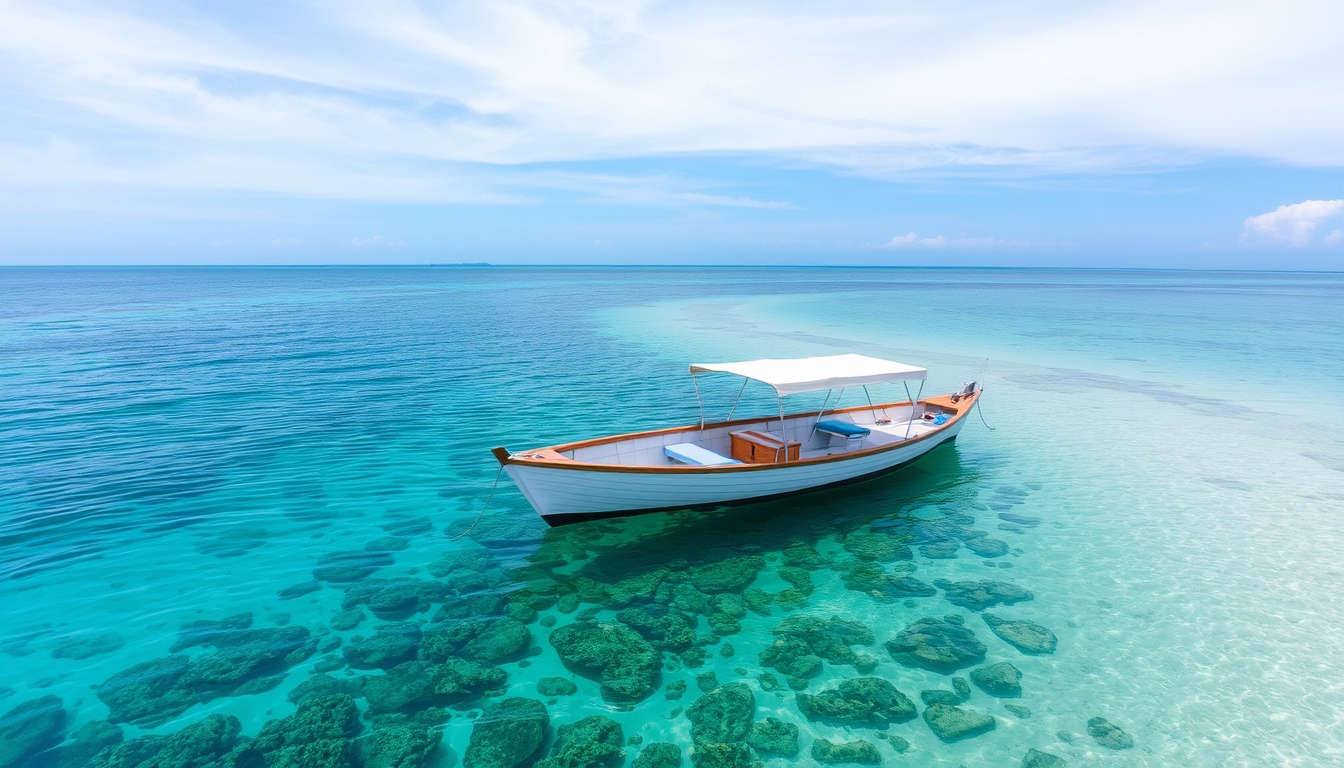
(1166, 473)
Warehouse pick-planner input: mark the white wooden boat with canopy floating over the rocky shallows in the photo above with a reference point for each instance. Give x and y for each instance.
(745, 461)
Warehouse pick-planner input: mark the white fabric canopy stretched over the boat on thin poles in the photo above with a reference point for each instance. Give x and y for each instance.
(814, 375)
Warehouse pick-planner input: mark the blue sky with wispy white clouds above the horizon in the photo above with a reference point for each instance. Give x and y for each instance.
(1205, 135)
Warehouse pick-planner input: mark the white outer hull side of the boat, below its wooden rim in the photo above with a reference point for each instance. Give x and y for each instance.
(581, 493)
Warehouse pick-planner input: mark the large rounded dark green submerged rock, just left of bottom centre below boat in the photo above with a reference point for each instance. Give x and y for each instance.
(615, 656)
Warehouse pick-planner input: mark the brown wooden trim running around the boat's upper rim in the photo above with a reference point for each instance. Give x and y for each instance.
(554, 461)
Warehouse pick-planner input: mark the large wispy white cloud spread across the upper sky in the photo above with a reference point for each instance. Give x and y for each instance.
(341, 99)
